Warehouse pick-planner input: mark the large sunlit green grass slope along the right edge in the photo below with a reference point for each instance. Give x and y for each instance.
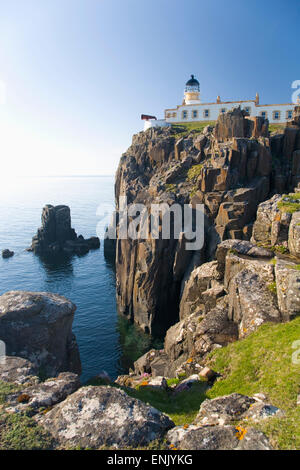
(262, 363)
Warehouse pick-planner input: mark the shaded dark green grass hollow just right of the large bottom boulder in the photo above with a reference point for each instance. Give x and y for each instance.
(182, 408)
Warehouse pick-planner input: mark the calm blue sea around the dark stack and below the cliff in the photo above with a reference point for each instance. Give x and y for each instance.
(106, 341)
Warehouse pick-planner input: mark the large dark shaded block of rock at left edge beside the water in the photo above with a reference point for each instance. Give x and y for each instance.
(38, 326)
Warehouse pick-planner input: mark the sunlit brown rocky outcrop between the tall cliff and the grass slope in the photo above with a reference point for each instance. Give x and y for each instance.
(223, 301)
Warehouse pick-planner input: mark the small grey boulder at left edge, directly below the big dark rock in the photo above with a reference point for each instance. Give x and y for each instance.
(17, 370)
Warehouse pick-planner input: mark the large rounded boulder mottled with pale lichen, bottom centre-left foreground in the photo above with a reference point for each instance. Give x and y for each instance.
(104, 416)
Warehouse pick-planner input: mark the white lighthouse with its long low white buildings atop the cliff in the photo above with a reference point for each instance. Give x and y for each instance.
(193, 110)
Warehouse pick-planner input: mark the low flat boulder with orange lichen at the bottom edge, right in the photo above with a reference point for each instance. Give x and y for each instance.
(217, 438)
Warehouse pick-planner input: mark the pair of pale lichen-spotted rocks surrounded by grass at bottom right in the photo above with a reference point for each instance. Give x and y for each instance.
(215, 426)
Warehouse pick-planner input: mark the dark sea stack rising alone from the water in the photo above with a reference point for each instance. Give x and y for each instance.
(56, 234)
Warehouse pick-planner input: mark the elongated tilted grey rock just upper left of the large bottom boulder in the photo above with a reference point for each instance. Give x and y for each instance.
(45, 394)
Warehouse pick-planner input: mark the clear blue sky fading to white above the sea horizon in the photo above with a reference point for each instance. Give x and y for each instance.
(75, 75)
